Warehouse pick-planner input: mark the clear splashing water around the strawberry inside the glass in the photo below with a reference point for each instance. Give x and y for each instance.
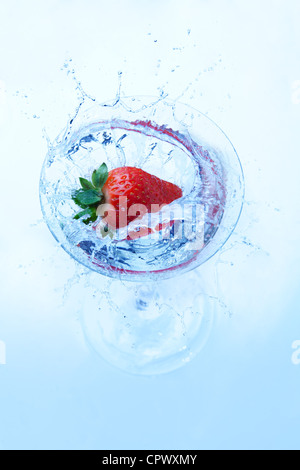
(125, 132)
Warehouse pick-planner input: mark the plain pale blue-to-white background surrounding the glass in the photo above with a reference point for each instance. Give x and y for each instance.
(242, 61)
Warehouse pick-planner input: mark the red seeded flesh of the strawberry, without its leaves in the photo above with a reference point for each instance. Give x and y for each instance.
(129, 186)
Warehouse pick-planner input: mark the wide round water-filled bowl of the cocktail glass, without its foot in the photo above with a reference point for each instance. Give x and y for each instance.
(168, 139)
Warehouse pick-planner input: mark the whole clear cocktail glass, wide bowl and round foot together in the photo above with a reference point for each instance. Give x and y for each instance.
(176, 143)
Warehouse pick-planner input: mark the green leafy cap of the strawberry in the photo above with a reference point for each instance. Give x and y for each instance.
(90, 195)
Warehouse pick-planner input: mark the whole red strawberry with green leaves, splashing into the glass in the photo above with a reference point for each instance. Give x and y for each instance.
(130, 193)
